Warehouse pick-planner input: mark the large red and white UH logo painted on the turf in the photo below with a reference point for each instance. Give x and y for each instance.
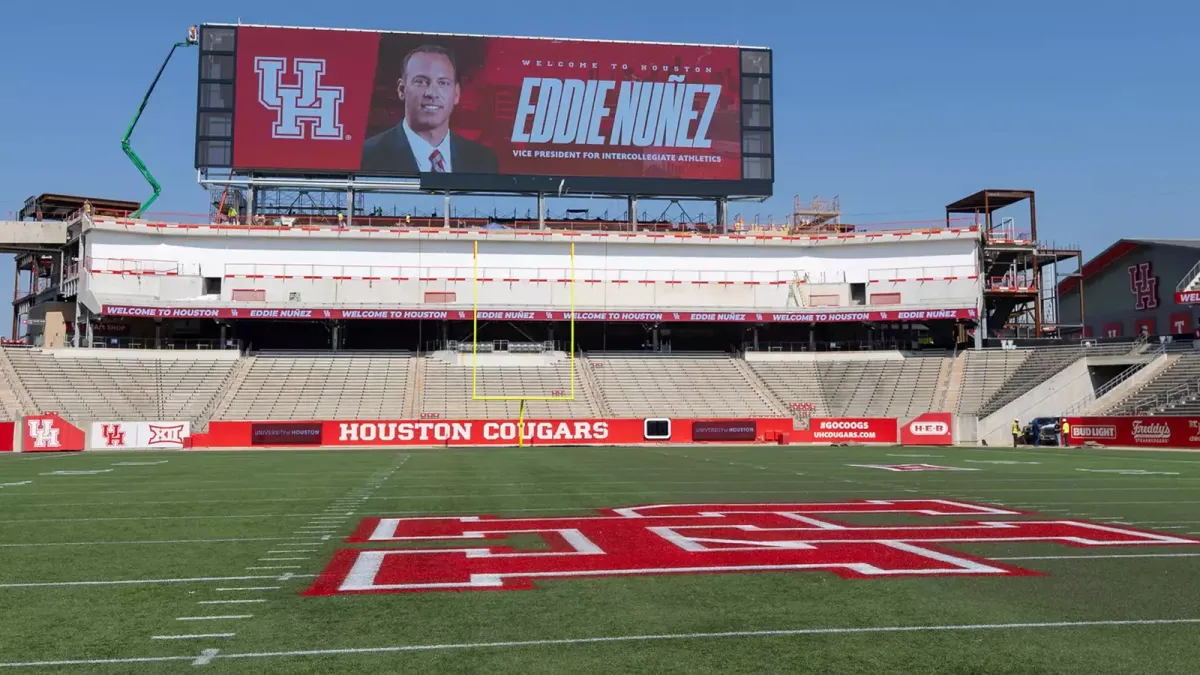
(697, 540)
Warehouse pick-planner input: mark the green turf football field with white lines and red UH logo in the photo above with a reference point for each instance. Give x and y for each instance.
(177, 563)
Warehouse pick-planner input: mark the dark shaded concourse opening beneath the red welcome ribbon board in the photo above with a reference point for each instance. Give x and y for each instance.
(350, 334)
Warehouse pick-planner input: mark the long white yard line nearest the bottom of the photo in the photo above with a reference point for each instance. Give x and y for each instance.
(212, 655)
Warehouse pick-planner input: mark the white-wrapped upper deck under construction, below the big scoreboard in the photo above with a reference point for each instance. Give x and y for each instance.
(824, 283)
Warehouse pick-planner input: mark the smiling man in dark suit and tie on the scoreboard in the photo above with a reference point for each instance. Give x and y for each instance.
(423, 141)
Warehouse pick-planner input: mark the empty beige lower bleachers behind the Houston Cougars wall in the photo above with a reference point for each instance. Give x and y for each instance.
(199, 386)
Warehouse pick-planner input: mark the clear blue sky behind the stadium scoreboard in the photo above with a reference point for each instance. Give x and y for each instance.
(896, 107)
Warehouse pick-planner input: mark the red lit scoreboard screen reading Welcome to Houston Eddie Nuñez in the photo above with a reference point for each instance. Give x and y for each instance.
(380, 104)
